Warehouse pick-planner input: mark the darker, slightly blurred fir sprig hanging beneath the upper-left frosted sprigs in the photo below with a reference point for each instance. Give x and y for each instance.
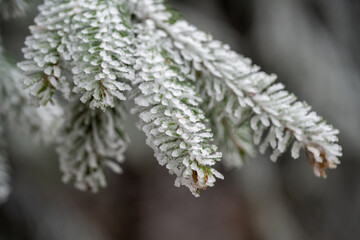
(91, 139)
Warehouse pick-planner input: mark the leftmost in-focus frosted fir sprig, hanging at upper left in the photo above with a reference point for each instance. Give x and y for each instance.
(45, 51)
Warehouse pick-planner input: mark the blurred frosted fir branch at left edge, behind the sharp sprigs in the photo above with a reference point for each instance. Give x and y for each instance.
(43, 122)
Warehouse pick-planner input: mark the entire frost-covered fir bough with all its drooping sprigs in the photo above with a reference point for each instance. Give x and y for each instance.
(186, 86)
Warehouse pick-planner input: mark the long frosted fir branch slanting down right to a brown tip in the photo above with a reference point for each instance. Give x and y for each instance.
(229, 73)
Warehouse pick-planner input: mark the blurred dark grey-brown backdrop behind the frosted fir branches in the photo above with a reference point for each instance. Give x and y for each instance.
(313, 46)
